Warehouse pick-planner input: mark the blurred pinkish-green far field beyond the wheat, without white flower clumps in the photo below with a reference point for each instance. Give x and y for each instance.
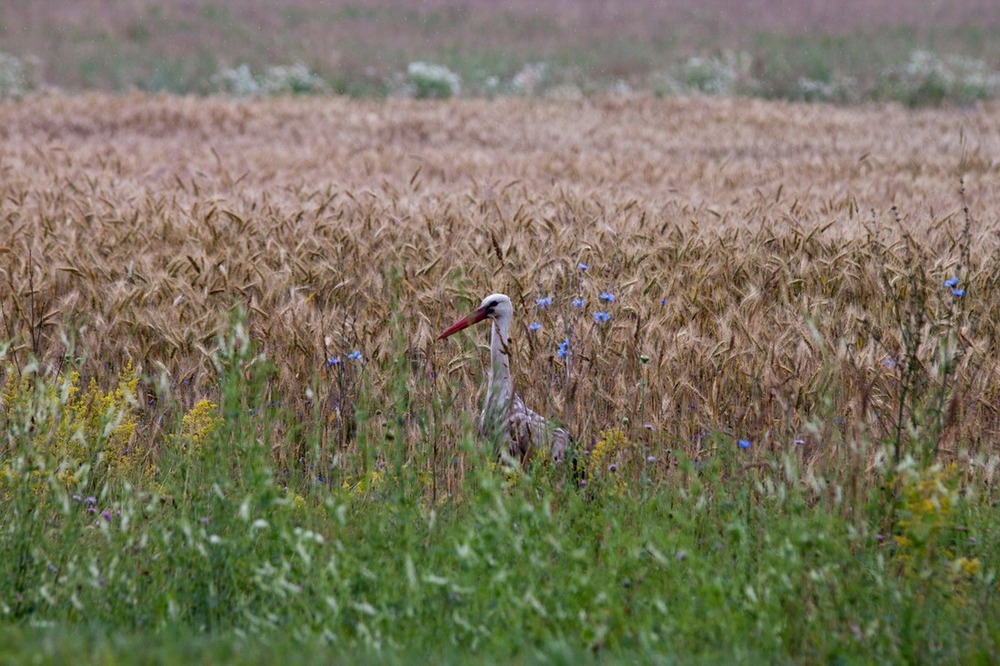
(360, 47)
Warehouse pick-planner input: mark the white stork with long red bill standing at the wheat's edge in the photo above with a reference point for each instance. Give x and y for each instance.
(505, 419)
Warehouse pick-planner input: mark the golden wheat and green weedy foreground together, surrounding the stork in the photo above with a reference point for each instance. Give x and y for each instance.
(229, 432)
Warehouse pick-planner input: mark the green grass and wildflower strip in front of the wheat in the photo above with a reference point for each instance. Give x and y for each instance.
(220, 554)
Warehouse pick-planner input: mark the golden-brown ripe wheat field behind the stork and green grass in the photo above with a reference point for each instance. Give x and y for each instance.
(725, 229)
